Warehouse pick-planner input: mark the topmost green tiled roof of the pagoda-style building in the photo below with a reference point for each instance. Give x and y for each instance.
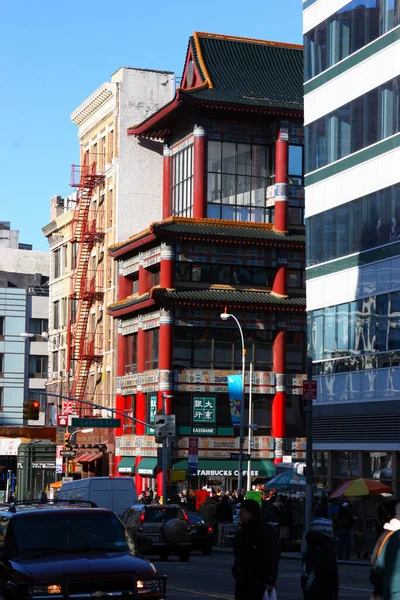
(249, 72)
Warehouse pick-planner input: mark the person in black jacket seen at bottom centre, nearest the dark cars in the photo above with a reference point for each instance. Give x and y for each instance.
(256, 552)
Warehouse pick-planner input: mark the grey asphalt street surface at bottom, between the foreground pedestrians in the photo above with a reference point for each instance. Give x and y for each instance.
(207, 577)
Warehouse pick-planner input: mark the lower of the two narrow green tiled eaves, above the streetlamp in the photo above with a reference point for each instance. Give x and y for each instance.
(229, 297)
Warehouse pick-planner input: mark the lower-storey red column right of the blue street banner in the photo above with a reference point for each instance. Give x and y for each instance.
(278, 417)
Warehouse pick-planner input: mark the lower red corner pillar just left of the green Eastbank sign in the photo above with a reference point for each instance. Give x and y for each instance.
(165, 369)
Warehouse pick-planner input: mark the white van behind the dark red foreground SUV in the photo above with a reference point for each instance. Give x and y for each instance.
(116, 494)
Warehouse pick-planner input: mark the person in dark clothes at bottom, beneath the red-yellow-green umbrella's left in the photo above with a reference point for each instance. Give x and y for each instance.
(319, 571)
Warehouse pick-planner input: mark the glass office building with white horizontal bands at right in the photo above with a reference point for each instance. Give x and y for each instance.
(352, 118)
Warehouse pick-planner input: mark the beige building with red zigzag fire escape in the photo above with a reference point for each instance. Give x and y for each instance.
(83, 277)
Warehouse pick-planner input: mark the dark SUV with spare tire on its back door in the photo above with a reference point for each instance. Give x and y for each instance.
(160, 529)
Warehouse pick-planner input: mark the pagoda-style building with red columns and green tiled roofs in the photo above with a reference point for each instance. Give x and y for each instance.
(231, 237)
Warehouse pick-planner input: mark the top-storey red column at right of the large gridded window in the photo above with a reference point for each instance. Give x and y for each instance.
(281, 180)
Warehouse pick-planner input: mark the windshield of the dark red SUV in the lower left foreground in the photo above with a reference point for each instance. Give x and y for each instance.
(70, 533)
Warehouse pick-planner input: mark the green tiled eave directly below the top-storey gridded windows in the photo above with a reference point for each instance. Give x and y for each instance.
(223, 230)
